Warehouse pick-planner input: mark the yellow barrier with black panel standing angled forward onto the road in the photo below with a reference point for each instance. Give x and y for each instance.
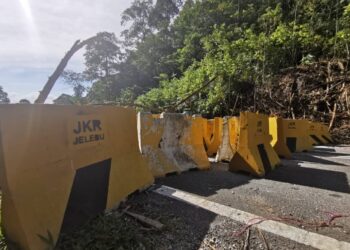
(254, 153)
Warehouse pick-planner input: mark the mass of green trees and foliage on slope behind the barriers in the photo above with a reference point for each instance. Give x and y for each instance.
(172, 47)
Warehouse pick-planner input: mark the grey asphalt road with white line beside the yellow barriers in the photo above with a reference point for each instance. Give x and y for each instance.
(304, 189)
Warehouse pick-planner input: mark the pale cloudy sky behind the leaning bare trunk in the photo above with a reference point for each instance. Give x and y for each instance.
(35, 35)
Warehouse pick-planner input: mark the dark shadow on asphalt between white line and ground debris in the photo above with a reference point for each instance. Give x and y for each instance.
(186, 224)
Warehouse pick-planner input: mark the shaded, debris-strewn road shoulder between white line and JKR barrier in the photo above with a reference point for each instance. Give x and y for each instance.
(185, 227)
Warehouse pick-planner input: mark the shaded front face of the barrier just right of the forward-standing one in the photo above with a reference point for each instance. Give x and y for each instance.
(296, 134)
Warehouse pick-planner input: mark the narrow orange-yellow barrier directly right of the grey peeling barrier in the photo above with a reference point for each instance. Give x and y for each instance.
(212, 134)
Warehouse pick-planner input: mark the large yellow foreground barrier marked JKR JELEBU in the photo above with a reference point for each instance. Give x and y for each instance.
(62, 165)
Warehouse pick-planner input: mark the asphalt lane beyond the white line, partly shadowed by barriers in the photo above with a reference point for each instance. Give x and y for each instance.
(305, 188)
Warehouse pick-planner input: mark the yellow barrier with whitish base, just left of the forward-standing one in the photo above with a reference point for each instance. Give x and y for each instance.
(229, 141)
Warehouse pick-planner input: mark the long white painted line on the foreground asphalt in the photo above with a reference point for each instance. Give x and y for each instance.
(280, 229)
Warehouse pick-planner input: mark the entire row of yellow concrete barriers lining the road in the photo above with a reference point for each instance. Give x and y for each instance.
(61, 165)
